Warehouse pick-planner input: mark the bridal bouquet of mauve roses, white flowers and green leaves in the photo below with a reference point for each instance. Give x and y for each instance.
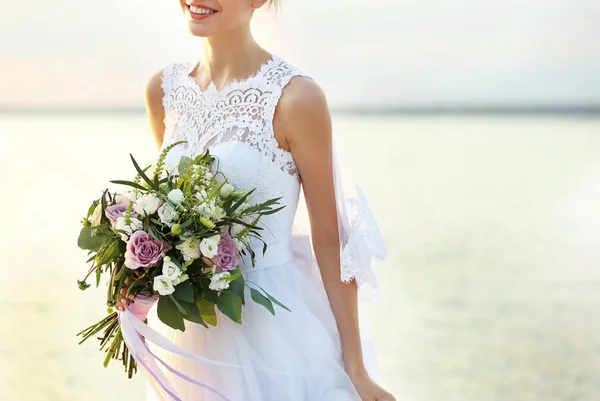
(176, 239)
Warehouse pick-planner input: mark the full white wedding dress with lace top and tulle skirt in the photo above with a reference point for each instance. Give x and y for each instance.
(301, 346)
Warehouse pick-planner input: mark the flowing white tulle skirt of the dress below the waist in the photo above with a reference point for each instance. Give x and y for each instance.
(292, 356)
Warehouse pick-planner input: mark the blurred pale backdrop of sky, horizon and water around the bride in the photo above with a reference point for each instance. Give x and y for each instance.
(473, 127)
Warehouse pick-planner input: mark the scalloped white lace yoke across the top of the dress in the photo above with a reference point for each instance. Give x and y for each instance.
(243, 111)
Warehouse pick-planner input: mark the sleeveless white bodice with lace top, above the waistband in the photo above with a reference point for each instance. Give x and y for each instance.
(236, 125)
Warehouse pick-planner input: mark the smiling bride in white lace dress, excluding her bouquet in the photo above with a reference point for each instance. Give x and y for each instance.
(269, 126)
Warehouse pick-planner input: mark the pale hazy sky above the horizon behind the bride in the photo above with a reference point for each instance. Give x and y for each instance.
(385, 53)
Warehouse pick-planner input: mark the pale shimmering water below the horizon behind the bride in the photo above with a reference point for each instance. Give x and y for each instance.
(492, 284)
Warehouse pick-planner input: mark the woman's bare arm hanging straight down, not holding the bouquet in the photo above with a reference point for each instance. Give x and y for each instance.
(303, 125)
